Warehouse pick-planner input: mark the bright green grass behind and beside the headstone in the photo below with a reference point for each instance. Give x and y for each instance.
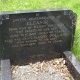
(9, 5)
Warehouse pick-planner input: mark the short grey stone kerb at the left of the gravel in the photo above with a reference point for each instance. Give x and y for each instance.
(5, 70)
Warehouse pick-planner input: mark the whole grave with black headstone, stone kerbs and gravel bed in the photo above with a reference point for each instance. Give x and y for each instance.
(38, 37)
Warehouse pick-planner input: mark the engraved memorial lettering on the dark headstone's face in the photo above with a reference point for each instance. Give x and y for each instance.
(36, 31)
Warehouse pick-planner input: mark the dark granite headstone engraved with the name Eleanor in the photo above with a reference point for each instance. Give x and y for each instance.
(36, 33)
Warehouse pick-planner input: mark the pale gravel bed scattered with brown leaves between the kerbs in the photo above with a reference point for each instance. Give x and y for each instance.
(46, 70)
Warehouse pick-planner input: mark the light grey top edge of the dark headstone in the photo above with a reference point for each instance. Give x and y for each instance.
(32, 10)
